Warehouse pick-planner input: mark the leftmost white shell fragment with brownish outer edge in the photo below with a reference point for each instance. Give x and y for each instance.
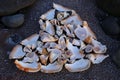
(17, 52)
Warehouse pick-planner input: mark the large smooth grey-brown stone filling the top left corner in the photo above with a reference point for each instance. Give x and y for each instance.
(12, 6)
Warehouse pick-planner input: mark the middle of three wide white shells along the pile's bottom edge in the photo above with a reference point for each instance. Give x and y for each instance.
(52, 67)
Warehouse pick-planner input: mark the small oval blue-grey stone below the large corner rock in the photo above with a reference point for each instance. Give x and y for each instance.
(13, 21)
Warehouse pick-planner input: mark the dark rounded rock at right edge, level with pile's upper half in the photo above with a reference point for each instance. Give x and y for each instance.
(110, 26)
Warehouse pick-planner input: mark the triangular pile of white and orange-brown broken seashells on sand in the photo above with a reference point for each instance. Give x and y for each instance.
(63, 40)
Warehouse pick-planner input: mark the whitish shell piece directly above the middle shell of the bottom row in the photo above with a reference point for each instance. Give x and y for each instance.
(54, 54)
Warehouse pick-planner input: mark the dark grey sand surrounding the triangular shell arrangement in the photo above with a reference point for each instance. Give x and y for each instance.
(87, 11)
